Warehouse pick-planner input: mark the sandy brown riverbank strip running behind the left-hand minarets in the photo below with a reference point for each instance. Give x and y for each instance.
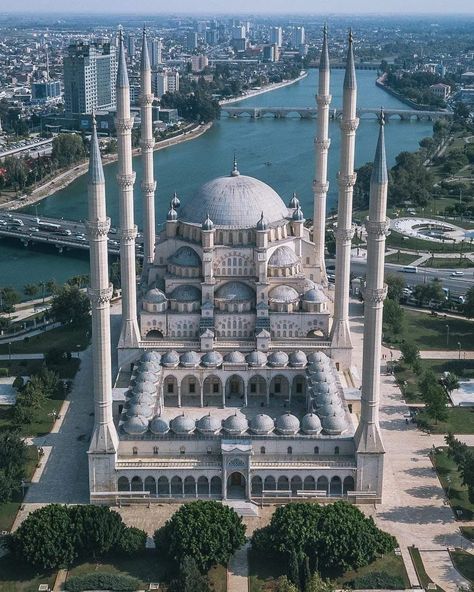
(65, 178)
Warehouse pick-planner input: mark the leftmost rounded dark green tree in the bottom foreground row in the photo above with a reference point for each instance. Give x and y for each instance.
(45, 538)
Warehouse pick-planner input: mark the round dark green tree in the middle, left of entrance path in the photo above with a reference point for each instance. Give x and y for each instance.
(206, 530)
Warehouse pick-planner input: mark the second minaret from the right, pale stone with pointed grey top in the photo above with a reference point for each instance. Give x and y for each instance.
(340, 333)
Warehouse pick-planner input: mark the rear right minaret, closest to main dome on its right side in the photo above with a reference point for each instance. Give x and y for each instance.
(322, 143)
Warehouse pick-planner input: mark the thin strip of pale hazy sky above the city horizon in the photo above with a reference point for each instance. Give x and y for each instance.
(328, 7)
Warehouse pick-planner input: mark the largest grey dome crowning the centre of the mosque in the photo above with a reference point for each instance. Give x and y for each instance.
(232, 201)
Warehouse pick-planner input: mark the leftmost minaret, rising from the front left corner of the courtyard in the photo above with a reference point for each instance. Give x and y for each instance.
(104, 442)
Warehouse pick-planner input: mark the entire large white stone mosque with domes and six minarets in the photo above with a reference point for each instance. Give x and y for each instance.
(235, 375)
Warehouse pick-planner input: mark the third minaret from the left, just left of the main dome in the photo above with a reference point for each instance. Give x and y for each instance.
(147, 144)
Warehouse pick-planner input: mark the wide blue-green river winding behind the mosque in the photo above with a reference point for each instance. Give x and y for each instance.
(285, 143)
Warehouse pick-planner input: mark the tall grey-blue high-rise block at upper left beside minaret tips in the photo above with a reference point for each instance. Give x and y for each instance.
(89, 77)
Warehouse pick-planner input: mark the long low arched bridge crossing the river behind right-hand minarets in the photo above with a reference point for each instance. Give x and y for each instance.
(311, 112)
